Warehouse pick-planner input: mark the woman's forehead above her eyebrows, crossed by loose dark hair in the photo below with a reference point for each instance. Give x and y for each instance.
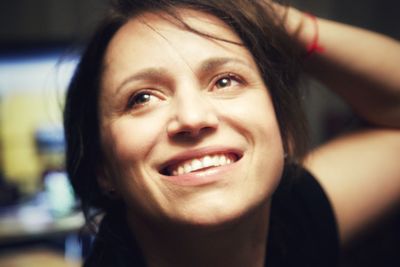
(155, 39)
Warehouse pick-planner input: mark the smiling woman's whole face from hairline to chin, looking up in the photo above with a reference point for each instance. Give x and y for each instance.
(187, 123)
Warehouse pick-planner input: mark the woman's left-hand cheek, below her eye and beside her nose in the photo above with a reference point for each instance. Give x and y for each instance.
(130, 143)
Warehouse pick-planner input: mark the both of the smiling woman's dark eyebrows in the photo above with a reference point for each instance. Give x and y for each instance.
(159, 74)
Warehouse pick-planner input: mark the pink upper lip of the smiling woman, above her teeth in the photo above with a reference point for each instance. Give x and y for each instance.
(197, 153)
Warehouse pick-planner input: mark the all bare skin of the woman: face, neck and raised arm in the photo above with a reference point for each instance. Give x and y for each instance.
(187, 113)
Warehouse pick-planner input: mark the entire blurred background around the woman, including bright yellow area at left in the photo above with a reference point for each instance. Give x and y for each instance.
(39, 219)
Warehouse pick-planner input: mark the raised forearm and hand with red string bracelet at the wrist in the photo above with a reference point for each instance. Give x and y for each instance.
(360, 66)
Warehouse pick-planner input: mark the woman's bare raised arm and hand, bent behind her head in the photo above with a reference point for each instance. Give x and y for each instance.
(362, 167)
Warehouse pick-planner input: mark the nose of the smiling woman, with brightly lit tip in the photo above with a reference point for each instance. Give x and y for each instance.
(193, 116)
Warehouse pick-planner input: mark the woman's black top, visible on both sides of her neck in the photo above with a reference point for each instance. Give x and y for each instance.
(302, 231)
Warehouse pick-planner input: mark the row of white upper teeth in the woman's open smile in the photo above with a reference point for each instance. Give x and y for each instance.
(201, 163)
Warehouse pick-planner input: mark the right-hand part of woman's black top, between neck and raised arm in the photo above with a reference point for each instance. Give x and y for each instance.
(303, 229)
